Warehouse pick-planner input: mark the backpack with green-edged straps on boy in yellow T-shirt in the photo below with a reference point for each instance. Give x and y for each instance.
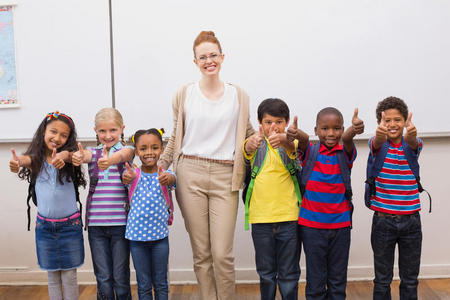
(251, 172)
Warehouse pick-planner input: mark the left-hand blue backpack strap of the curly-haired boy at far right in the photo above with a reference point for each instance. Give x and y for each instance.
(374, 166)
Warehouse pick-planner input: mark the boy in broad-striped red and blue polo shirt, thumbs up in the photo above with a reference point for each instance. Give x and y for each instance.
(325, 214)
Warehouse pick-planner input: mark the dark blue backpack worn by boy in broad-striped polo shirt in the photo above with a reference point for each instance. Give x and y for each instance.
(345, 173)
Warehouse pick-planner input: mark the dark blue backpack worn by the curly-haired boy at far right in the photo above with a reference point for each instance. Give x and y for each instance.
(375, 164)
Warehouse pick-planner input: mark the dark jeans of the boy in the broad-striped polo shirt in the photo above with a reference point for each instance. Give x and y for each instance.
(326, 253)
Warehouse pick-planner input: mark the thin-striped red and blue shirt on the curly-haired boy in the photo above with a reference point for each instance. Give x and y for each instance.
(396, 187)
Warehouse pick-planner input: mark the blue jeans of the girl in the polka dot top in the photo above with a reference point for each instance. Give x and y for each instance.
(151, 260)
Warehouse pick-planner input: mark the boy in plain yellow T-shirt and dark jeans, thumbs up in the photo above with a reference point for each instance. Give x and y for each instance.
(274, 205)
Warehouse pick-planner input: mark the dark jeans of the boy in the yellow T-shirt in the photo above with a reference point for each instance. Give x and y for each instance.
(277, 255)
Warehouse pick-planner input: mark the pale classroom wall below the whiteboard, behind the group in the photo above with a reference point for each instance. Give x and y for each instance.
(18, 263)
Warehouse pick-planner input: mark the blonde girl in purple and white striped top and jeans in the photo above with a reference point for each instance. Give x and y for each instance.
(106, 206)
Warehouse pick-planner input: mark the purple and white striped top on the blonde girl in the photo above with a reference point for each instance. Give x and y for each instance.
(107, 206)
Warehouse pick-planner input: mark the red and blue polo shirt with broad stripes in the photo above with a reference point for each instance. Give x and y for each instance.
(324, 205)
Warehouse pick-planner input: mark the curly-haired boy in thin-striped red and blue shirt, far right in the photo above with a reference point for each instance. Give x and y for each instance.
(396, 203)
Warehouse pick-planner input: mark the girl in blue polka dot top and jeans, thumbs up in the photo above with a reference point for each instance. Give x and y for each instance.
(147, 224)
